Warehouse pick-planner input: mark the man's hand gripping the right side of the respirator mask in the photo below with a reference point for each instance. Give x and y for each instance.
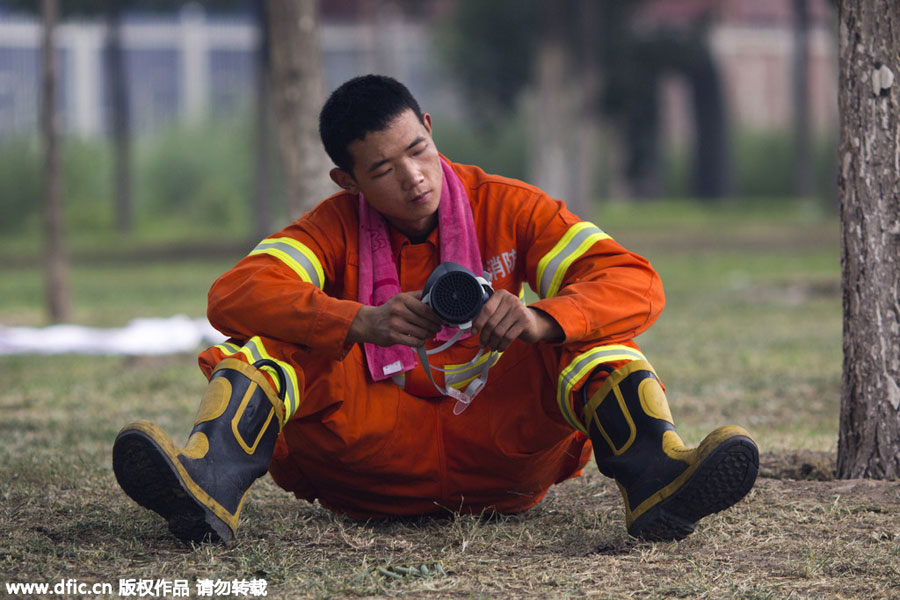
(504, 318)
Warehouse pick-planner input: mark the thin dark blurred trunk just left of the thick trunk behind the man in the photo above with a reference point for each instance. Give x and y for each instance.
(264, 222)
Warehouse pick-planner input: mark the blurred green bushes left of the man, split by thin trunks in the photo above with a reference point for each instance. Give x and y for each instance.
(195, 179)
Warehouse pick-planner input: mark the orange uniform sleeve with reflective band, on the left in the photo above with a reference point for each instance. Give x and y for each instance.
(289, 288)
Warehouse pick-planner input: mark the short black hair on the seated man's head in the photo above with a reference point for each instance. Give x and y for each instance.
(359, 106)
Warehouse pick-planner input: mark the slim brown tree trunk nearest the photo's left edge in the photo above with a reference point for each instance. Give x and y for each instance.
(56, 290)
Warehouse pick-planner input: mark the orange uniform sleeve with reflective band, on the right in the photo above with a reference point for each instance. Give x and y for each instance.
(593, 287)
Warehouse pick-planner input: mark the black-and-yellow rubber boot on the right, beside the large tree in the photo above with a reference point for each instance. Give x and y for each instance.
(667, 488)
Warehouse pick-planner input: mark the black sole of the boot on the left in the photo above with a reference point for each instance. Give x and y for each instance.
(146, 473)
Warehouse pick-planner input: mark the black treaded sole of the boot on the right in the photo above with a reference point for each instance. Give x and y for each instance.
(725, 476)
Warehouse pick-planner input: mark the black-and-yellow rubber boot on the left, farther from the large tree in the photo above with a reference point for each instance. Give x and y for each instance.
(199, 489)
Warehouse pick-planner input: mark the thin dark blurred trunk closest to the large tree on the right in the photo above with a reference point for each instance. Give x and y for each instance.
(803, 168)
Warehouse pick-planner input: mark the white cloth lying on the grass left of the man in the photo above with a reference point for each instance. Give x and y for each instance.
(139, 337)
